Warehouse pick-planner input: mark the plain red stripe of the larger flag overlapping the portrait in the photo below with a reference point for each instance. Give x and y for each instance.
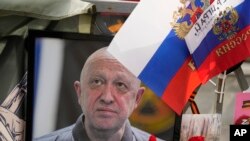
(187, 81)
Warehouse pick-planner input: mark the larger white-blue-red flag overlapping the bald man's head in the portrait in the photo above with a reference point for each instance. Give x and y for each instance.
(148, 46)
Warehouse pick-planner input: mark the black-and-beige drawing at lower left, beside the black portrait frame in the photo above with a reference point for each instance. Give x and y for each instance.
(12, 125)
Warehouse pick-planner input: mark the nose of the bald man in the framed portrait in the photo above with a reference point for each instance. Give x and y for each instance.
(107, 95)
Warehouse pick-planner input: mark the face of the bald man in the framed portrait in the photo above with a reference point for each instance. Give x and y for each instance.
(108, 94)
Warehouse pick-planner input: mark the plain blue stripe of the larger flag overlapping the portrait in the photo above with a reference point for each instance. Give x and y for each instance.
(164, 64)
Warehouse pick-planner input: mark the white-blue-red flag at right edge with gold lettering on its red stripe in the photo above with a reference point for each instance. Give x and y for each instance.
(220, 38)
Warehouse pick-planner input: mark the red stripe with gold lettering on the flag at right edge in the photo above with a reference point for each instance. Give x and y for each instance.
(226, 55)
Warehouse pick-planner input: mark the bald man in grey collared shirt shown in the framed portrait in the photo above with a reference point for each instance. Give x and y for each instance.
(107, 93)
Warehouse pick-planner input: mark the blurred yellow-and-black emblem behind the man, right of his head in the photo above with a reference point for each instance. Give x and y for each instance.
(154, 116)
